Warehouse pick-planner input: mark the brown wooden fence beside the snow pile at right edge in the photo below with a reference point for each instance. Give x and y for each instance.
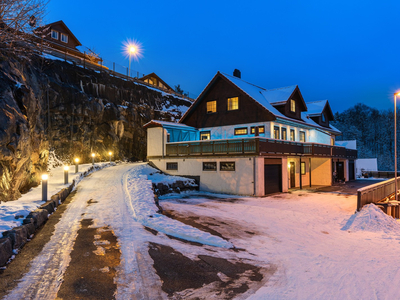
(376, 192)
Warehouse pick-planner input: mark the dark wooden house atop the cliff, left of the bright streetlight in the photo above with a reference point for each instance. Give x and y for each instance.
(62, 42)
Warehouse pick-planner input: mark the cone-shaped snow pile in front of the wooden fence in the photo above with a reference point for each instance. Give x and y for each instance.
(372, 218)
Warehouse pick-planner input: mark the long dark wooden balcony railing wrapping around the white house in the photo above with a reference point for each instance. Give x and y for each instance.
(256, 146)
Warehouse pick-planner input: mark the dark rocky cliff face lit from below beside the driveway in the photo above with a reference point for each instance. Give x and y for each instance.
(51, 104)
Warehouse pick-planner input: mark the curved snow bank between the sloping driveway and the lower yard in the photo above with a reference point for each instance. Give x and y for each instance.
(140, 198)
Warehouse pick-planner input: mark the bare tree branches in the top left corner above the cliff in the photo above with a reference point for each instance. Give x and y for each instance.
(18, 18)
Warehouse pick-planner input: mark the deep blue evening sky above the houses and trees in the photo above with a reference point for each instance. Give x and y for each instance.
(344, 51)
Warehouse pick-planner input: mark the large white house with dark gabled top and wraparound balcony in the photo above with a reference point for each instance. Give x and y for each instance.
(240, 138)
